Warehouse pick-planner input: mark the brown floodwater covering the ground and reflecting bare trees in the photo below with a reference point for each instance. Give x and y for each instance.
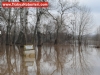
(51, 60)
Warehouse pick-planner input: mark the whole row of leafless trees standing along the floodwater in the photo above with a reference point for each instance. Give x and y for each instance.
(61, 21)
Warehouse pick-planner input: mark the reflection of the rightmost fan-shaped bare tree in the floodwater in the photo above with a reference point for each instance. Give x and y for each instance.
(80, 64)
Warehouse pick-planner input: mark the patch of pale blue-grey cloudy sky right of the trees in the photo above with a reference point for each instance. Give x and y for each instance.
(94, 5)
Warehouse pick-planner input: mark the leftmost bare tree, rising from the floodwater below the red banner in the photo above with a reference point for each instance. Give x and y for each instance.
(9, 19)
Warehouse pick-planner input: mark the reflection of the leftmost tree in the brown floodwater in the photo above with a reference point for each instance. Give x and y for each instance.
(8, 65)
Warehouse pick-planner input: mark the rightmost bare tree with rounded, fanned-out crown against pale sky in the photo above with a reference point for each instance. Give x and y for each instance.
(80, 23)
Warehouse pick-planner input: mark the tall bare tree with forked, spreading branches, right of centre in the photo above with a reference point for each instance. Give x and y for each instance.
(64, 8)
